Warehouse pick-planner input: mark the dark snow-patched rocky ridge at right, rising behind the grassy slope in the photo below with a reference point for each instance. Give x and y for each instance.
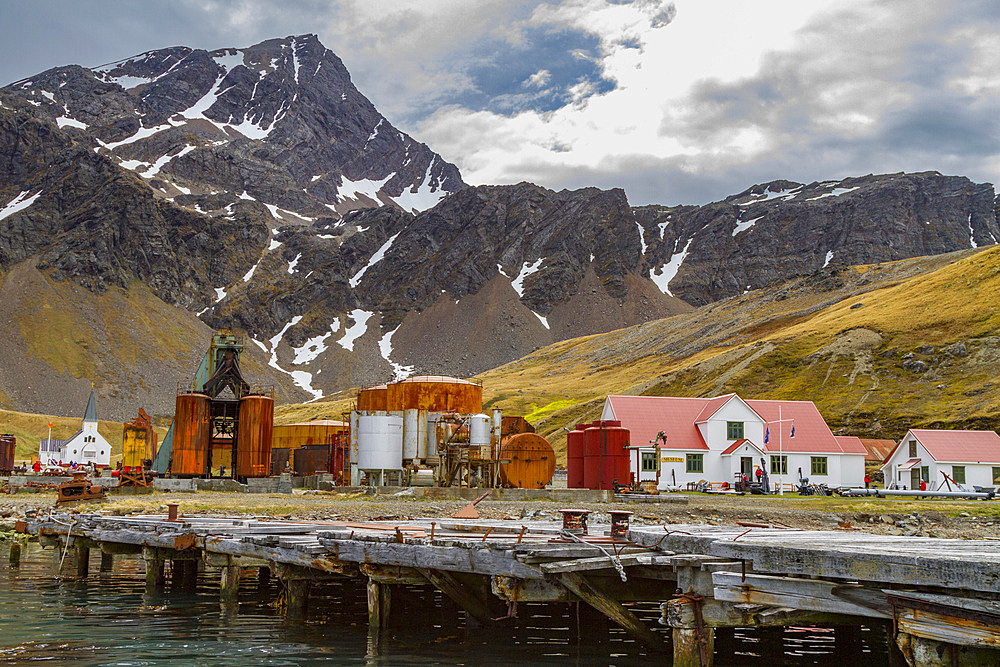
(779, 230)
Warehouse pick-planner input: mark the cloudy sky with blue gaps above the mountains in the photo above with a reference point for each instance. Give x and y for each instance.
(682, 101)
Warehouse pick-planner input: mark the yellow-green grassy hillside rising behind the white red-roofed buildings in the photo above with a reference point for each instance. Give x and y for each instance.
(838, 338)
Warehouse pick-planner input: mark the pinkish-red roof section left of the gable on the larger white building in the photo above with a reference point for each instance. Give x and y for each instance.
(645, 416)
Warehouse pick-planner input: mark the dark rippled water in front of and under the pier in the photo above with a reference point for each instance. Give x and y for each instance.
(107, 619)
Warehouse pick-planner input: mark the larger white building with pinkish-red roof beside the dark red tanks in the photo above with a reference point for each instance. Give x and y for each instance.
(713, 439)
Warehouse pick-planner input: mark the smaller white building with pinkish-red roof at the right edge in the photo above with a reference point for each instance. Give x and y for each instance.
(970, 458)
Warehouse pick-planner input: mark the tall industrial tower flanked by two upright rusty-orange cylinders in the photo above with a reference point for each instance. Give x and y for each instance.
(221, 422)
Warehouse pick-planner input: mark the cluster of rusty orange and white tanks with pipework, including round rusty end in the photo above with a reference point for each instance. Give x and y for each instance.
(428, 430)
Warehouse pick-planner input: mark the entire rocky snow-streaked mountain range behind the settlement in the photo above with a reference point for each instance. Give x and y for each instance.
(257, 189)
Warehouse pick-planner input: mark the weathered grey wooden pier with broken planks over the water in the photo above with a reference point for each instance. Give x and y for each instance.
(939, 598)
